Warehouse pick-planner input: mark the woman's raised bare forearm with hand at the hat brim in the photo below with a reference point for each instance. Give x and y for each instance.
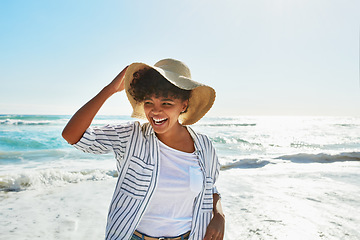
(82, 119)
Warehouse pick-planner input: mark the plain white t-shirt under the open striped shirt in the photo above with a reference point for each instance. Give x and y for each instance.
(169, 213)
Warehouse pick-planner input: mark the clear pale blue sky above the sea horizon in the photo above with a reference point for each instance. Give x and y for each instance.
(263, 57)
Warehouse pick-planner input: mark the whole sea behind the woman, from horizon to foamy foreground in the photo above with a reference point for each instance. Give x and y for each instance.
(281, 177)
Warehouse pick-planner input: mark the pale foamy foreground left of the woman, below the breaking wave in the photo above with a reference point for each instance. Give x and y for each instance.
(73, 211)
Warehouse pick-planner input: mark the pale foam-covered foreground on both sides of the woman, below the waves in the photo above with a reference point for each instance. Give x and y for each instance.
(313, 201)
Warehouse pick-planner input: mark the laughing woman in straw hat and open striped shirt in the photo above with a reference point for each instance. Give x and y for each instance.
(165, 188)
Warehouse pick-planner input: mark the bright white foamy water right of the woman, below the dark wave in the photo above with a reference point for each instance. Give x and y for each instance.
(292, 201)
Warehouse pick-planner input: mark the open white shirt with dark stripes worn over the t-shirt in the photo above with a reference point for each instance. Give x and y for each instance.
(136, 150)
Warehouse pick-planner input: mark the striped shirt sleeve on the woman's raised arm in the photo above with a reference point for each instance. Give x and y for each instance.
(100, 140)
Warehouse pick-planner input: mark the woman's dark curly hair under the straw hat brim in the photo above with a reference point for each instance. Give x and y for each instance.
(148, 82)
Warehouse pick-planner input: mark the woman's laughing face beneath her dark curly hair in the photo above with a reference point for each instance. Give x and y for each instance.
(163, 113)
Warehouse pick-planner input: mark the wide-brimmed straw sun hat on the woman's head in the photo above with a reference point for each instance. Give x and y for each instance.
(176, 72)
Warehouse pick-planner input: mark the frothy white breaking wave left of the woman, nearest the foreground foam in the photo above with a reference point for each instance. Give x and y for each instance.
(50, 177)
